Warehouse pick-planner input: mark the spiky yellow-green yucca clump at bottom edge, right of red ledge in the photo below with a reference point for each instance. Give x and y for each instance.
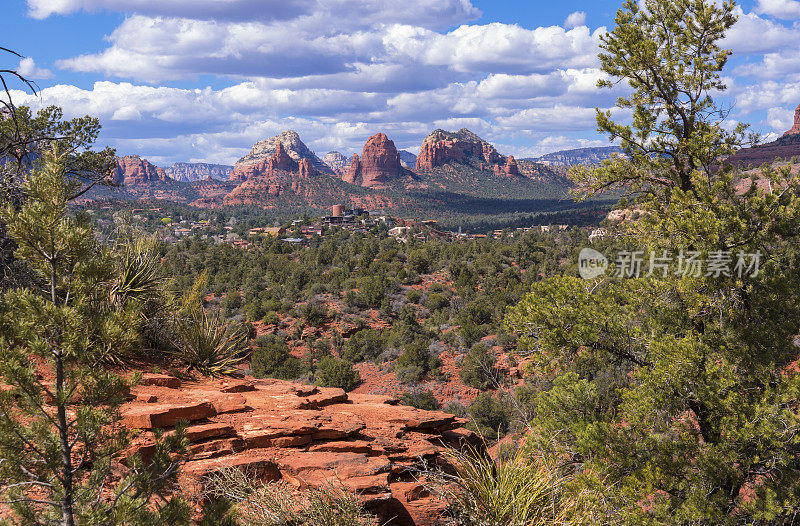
(518, 491)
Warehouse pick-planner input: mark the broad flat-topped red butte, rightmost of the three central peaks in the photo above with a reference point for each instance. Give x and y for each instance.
(441, 147)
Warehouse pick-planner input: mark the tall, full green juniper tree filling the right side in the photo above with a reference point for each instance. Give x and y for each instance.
(675, 394)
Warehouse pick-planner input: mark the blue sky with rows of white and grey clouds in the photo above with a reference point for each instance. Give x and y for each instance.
(202, 80)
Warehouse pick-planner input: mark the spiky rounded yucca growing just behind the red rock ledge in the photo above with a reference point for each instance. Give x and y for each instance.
(207, 346)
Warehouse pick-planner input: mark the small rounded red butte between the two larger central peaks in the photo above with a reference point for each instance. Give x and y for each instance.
(378, 166)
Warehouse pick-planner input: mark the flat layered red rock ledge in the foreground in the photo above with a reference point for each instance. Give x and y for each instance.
(304, 435)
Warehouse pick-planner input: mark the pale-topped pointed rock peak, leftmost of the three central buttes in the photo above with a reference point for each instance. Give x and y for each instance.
(282, 152)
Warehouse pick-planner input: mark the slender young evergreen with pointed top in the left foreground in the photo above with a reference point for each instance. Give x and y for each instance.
(60, 438)
